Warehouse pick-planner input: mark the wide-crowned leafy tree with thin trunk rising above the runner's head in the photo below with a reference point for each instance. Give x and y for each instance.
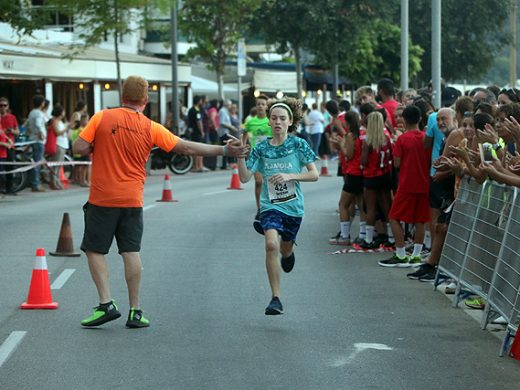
(338, 32)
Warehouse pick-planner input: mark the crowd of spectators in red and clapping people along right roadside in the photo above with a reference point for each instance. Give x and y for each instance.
(402, 163)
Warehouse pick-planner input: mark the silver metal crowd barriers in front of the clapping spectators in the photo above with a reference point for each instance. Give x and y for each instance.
(482, 250)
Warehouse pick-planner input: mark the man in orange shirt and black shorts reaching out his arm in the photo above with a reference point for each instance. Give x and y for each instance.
(120, 140)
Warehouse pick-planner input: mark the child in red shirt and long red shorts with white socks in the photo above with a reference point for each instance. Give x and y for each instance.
(411, 202)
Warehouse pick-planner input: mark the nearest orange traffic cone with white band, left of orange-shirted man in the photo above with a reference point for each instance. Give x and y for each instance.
(40, 296)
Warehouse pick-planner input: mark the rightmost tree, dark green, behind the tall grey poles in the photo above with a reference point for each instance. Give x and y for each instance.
(472, 33)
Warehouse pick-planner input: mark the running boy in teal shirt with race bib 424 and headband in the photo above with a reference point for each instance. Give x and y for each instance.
(280, 159)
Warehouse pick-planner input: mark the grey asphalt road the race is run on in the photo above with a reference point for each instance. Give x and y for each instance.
(348, 324)
